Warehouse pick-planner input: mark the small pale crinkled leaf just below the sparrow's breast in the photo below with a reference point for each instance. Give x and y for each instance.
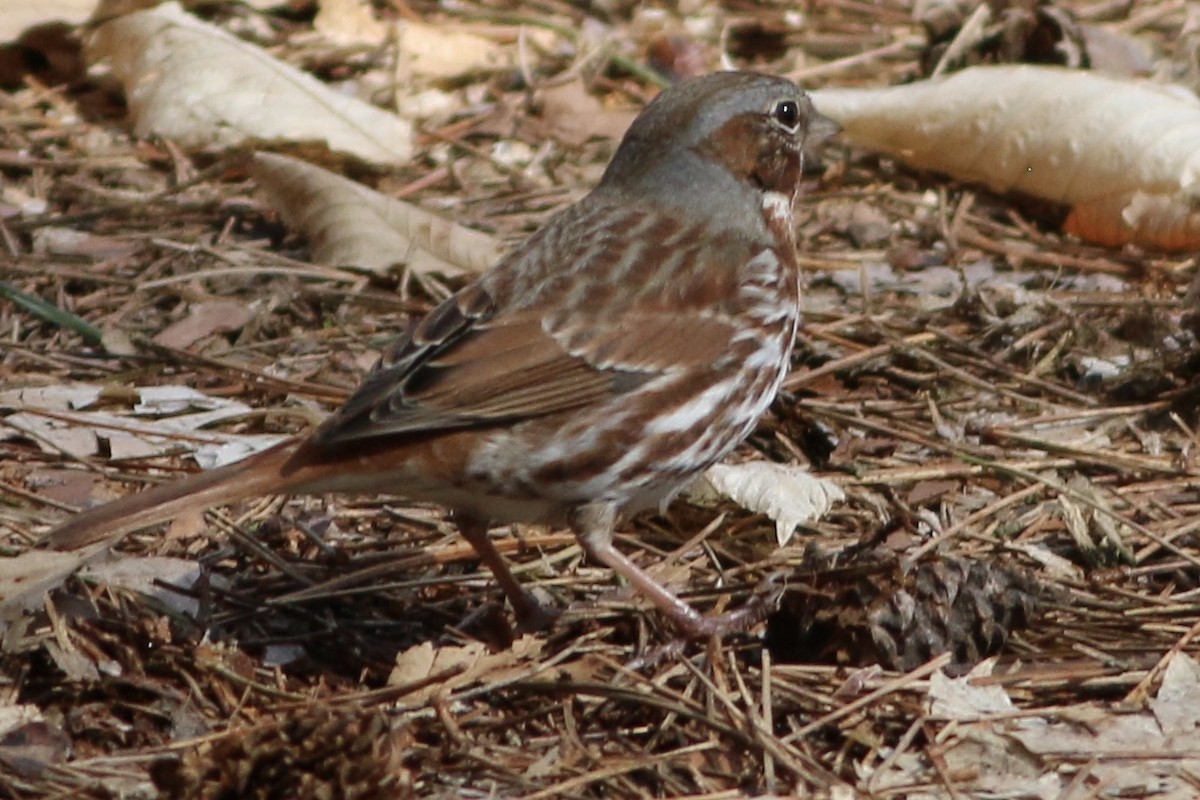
(790, 496)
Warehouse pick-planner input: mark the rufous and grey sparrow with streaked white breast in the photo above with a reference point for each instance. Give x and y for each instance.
(598, 369)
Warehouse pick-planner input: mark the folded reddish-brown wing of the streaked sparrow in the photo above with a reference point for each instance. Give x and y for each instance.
(467, 365)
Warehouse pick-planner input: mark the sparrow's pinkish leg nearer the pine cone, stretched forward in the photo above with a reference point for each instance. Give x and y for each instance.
(593, 525)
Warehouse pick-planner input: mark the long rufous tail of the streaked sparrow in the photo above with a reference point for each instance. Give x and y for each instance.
(257, 476)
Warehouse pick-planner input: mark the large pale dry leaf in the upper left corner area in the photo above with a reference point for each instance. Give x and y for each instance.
(199, 86)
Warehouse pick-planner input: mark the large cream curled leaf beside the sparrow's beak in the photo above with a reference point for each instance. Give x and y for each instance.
(1123, 154)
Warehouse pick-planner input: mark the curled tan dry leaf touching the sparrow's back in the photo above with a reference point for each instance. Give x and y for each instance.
(350, 225)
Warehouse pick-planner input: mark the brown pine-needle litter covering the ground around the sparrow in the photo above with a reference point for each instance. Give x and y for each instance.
(1011, 413)
